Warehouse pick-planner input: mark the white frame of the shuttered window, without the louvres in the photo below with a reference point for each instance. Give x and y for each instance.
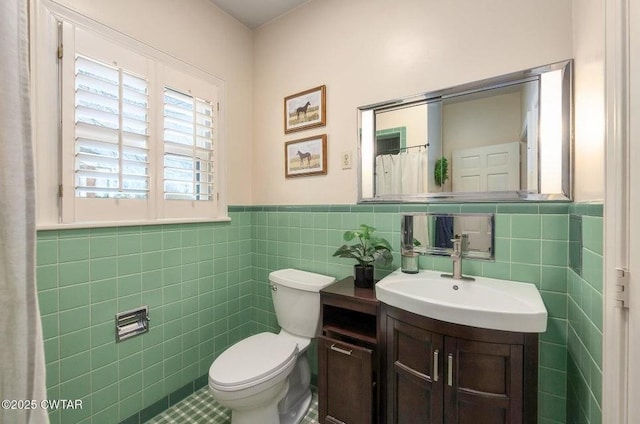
(53, 135)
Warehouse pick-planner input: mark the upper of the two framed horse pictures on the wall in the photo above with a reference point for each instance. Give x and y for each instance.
(305, 110)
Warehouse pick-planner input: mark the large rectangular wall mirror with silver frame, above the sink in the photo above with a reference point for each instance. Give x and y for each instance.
(502, 139)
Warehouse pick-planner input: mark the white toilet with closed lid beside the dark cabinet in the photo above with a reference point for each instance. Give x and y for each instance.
(266, 378)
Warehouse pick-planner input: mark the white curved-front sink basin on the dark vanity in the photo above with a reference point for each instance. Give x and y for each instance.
(485, 302)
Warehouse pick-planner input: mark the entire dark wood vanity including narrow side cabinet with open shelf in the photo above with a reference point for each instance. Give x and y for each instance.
(380, 364)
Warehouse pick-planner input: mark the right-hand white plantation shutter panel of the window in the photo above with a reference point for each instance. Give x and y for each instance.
(189, 157)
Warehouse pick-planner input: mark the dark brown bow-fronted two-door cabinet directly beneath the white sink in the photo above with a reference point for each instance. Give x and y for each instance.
(439, 372)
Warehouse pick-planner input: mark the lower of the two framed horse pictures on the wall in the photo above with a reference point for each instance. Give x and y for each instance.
(307, 156)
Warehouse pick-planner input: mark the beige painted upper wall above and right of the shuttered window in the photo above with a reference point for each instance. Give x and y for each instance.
(200, 34)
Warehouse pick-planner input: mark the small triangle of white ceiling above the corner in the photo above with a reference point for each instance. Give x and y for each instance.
(254, 13)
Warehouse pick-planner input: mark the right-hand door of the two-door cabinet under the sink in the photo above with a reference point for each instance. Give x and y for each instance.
(484, 382)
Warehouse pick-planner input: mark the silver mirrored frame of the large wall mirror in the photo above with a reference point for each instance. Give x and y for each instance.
(366, 131)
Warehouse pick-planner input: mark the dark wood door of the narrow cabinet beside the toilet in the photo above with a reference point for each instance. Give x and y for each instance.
(345, 382)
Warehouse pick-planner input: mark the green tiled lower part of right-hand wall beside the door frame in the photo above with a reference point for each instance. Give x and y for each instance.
(585, 317)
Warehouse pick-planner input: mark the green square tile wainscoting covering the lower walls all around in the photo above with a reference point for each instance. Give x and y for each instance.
(207, 287)
